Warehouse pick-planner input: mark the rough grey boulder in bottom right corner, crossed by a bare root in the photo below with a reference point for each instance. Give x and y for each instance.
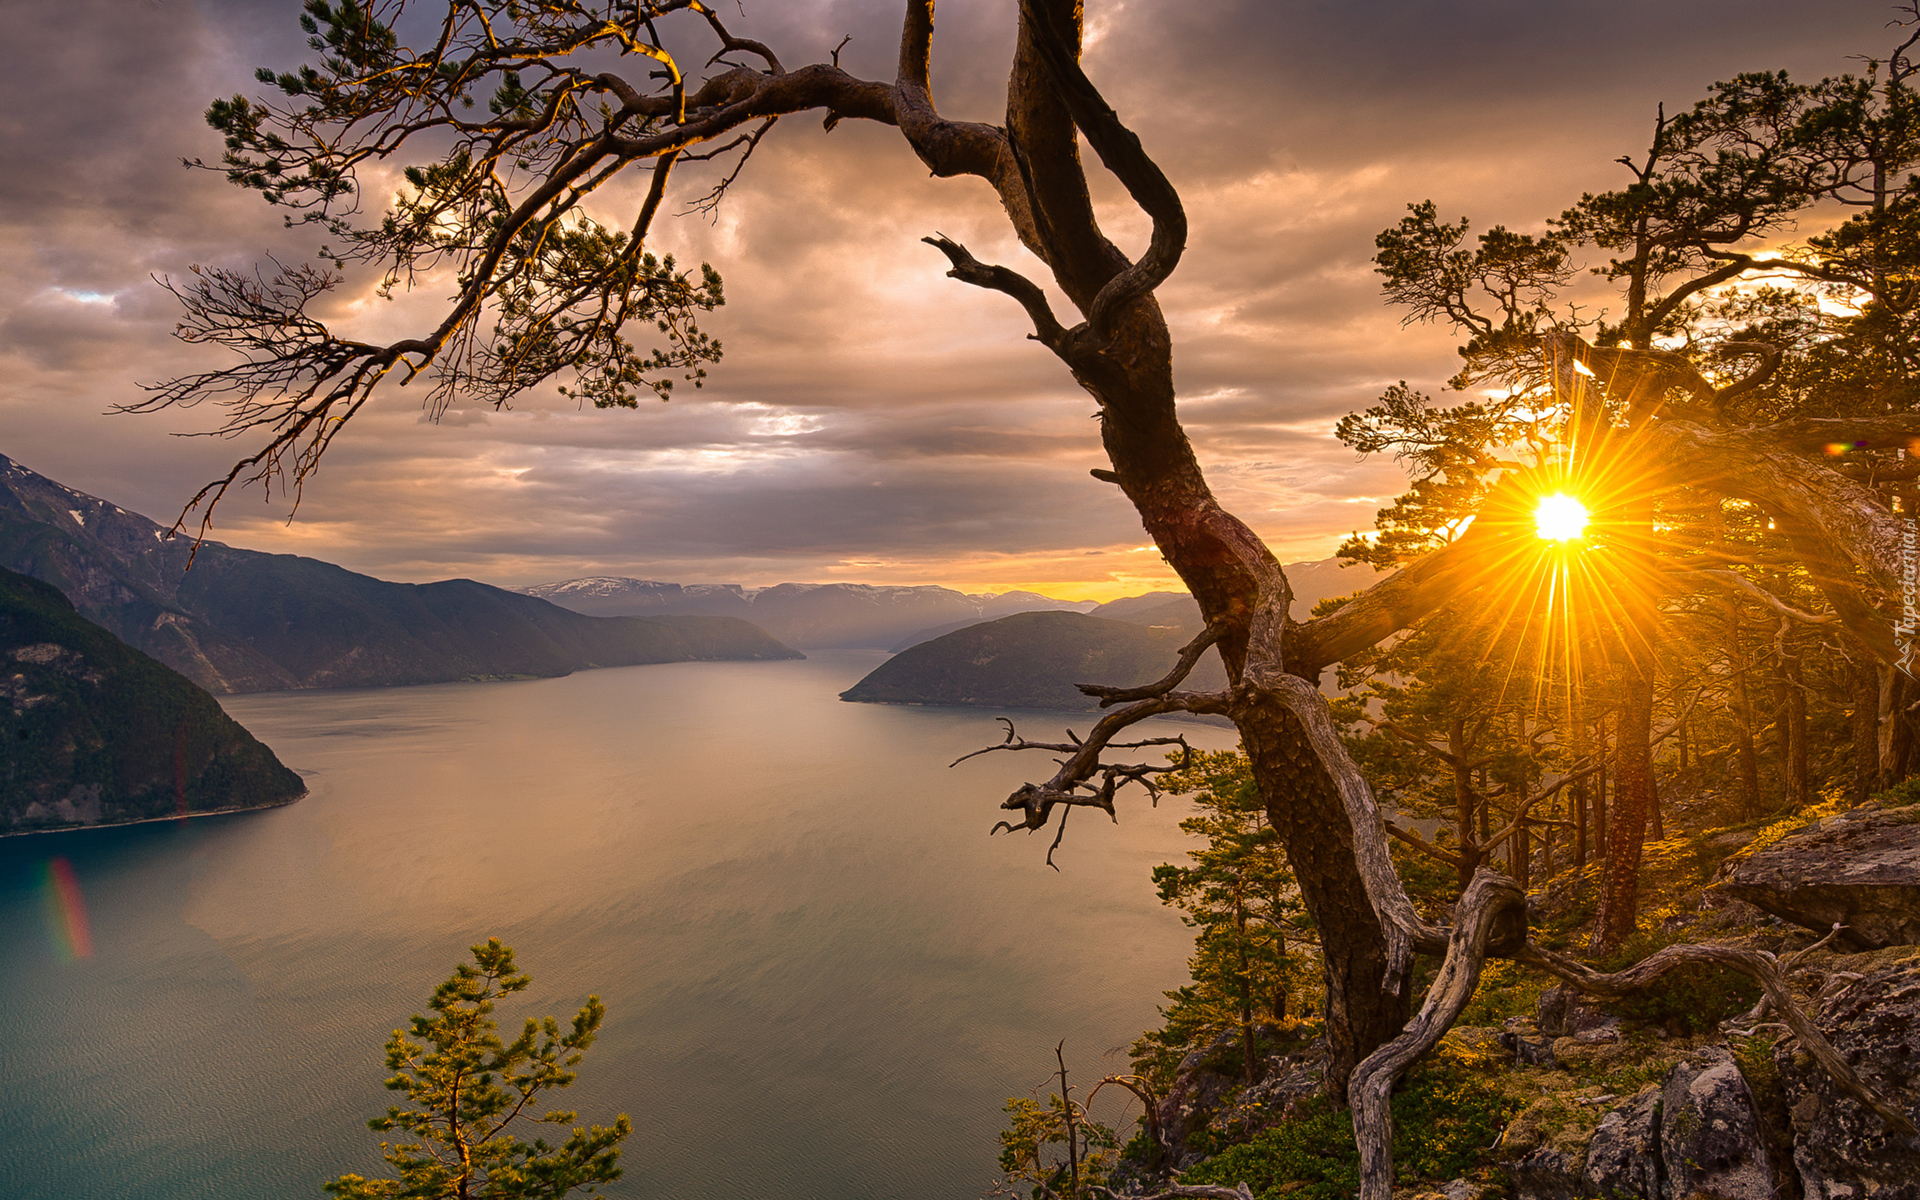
(1842, 1149)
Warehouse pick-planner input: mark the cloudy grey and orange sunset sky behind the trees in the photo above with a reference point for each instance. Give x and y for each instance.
(873, 421)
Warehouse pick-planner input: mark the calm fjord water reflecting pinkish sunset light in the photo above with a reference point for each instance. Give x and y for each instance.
(823, 976)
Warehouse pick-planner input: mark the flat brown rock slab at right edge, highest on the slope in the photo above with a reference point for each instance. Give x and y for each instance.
(1858, 869)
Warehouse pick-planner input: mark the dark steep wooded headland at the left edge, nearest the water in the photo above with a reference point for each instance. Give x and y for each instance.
(93, 732)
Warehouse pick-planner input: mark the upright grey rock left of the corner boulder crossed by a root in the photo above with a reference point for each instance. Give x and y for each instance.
(1712, 1140)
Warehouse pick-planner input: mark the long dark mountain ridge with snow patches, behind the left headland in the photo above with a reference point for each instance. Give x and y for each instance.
(245, 621)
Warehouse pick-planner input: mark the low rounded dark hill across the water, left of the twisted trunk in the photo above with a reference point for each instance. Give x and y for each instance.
(1022, 661)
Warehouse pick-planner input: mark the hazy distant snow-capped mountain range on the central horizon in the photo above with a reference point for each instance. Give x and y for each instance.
(807, 615)
